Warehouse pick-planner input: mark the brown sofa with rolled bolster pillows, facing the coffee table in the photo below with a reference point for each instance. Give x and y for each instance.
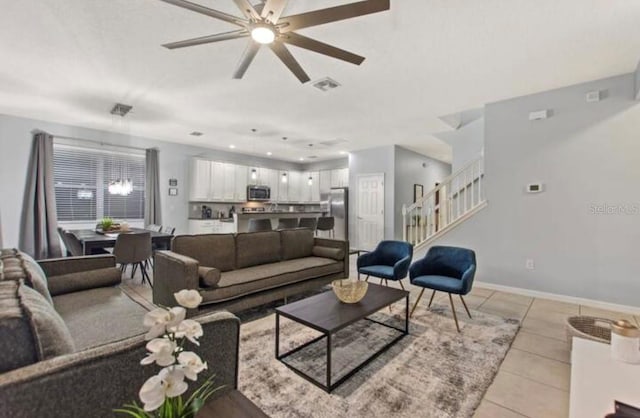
(237, 272)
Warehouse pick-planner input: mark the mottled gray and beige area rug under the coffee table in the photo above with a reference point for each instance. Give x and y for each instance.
(433, 372)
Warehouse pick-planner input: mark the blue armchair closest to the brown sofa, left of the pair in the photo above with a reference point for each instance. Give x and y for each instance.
(389, 261)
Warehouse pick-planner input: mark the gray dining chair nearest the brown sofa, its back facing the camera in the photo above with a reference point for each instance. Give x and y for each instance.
(134, 248)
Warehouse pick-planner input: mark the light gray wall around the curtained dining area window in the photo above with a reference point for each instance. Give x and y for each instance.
(15, 145)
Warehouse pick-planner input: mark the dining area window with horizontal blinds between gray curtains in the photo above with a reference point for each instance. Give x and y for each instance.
(81, 181)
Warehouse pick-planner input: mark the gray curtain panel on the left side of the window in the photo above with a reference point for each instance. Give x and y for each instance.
(38, 233)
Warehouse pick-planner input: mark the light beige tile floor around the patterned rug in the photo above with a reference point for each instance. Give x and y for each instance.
(534, 378)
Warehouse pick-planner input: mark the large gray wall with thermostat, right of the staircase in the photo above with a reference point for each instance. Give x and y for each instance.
(588, 156)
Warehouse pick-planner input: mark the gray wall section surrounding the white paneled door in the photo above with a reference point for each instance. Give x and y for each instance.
(372, 161)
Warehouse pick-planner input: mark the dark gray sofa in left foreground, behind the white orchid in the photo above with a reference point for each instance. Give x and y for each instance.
(71, 341)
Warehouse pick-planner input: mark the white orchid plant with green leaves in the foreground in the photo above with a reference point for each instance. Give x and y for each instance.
(169, 331)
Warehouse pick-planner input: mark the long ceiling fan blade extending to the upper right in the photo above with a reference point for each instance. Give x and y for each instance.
(332, 14)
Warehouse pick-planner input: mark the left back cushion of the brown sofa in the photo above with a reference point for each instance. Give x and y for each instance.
(211, 250)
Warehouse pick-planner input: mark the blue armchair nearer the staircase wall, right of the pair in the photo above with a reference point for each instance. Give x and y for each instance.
(447, 269)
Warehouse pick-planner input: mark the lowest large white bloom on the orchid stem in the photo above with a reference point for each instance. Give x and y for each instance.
(169, 383)
